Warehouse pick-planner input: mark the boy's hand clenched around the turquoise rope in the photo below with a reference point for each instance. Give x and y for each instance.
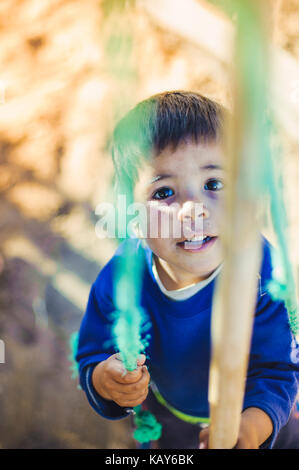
(113, 382)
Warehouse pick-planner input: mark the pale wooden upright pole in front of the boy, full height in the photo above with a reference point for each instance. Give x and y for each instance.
(235, 294)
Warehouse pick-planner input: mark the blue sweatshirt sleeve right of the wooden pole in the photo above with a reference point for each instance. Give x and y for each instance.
(272, 379)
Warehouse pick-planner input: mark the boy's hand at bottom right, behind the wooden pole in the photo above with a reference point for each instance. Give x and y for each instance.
(255, 428)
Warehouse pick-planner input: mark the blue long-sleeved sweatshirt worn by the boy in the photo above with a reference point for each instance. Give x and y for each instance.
(180, 344)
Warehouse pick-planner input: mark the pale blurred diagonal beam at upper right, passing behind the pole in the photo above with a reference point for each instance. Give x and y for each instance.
(200, 24)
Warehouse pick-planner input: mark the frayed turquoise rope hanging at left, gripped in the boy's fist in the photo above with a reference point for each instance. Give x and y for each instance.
(129, 318)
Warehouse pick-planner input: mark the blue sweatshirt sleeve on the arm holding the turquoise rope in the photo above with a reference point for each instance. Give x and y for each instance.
(95, 345)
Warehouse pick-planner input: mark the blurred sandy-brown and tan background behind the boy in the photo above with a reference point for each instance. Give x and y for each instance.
(69, 68)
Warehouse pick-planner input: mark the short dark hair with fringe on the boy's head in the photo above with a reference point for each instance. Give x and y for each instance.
(165, 119)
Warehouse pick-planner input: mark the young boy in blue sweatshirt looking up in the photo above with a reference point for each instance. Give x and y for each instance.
(170, 147)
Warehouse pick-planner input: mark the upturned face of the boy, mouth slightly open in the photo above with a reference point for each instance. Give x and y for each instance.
(187, 184)
